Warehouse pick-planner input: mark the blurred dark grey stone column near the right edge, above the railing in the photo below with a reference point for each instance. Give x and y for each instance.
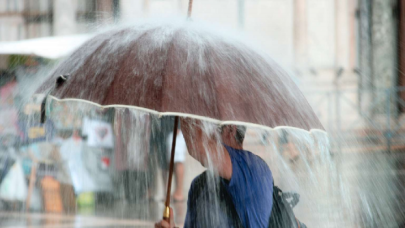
(378, 57)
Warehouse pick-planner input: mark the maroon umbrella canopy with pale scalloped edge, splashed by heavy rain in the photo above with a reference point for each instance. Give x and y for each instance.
(183, 69)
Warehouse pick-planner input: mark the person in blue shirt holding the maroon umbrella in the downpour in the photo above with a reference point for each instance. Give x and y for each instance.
(245, 177)
